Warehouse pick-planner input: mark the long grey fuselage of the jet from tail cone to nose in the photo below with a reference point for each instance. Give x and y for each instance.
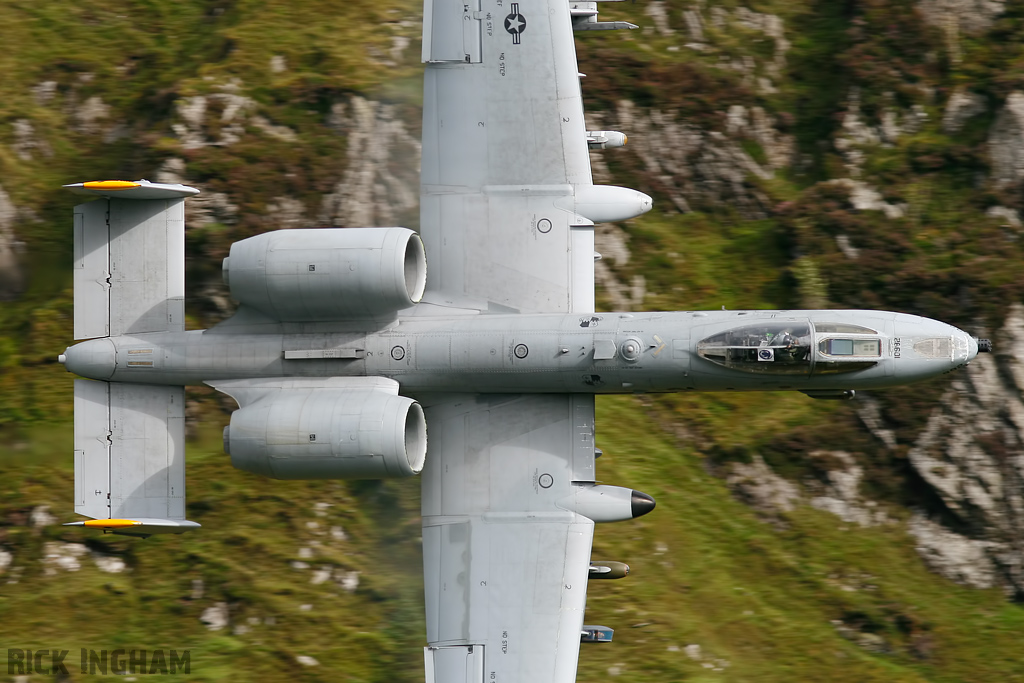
(614, 353)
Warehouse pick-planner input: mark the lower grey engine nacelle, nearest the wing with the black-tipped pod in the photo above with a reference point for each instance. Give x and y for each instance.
(302, 433)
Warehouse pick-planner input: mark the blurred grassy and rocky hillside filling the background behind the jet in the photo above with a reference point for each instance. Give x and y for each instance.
(801, 154)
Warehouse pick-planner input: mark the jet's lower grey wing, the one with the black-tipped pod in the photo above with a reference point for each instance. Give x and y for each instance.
(506, 565)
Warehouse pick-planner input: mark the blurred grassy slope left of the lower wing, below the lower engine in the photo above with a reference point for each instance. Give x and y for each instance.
(253, 532)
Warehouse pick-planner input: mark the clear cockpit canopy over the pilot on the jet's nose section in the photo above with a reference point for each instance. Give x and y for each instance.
(788, 348)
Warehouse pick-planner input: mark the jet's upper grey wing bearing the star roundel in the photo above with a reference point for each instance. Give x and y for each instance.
(504, 152)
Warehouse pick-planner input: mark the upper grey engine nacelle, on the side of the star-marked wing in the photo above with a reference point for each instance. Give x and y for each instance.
(328, 275)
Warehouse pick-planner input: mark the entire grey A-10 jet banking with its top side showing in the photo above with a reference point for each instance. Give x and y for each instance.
(347, 353)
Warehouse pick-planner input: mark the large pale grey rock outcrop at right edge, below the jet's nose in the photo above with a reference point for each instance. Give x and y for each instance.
(971, 453)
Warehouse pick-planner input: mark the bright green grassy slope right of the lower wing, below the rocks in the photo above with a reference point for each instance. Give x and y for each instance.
(707, 572)
